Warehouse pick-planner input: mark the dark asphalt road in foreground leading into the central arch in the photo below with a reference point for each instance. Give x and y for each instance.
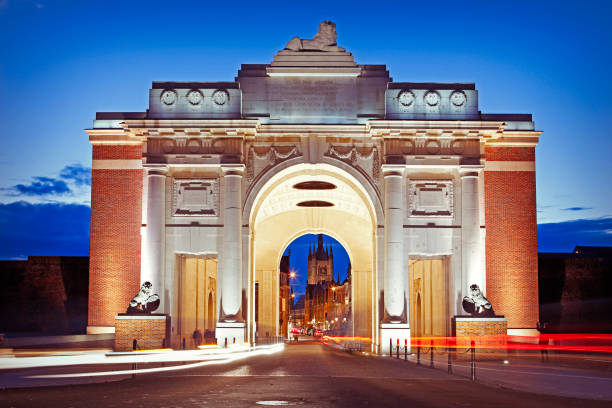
(306, 374)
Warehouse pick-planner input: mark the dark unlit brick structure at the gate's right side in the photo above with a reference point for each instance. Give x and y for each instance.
(575, 290)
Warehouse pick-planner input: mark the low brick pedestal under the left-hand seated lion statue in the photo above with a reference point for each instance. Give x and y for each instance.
(150, 331)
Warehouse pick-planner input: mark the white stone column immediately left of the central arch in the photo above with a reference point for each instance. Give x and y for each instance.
(230, 327)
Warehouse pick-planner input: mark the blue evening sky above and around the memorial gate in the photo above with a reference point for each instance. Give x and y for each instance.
(61, 61)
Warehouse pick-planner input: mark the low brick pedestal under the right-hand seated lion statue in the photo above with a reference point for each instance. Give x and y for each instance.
(489, 335)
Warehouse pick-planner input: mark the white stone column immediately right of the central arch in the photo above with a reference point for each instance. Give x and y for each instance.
(394, 326)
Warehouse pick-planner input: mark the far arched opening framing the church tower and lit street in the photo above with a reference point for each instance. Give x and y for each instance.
(315, 287)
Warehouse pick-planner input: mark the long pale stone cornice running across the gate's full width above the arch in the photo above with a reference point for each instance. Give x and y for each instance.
(136, 131)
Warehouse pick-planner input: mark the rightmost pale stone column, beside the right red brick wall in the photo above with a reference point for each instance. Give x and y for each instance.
(471, 252)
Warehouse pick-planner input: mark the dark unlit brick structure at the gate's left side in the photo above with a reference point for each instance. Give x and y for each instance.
(44, 294)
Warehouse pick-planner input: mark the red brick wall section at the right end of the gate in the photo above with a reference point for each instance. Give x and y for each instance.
(511, 240)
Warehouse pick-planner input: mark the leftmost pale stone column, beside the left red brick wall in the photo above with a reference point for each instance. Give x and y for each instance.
(154, 247)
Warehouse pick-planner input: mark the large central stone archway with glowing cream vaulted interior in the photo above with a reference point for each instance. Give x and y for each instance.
(278, 215)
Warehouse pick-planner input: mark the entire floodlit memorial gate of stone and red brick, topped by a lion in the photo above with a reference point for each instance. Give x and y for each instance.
(429, 197)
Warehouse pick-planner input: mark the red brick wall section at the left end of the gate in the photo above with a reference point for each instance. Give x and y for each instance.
(116, 218)
